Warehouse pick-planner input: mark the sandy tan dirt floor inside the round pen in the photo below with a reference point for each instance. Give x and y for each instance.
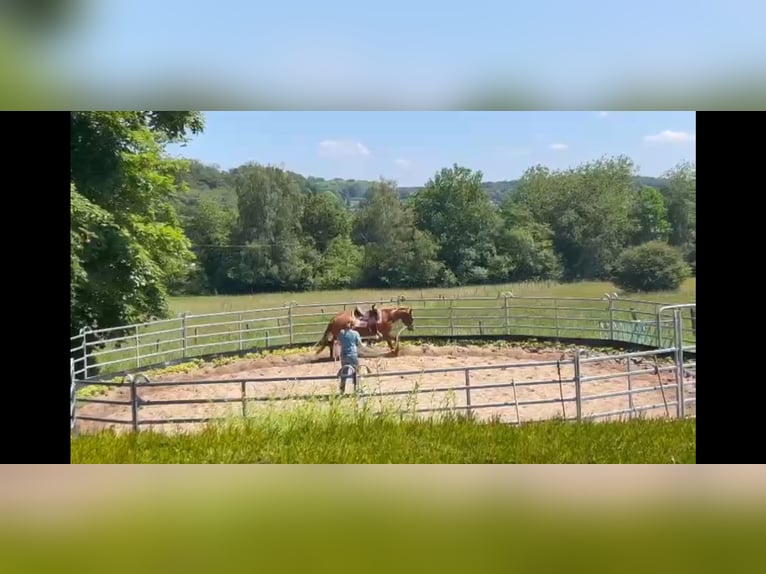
(411, 358)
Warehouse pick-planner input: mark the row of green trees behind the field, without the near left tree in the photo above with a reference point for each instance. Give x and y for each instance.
(278, 231)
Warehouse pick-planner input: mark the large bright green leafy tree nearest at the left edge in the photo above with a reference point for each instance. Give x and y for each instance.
(127, 246)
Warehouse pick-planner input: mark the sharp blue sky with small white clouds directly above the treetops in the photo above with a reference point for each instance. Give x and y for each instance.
(410, 147)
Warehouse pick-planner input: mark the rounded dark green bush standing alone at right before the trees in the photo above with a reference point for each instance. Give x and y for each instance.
(651, 266)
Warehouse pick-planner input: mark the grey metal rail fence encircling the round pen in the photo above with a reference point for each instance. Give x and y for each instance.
(98, 355)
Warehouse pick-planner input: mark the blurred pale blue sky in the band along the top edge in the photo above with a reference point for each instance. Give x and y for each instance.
(422, 50)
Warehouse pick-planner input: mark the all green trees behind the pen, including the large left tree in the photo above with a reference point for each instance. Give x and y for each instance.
(144, 226)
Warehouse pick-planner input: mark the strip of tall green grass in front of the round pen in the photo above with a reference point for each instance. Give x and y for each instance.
(338, 434)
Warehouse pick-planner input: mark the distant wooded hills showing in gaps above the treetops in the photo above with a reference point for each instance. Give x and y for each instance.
(216, 184)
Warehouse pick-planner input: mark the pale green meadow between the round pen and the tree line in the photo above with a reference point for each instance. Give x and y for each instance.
(480, 310)
